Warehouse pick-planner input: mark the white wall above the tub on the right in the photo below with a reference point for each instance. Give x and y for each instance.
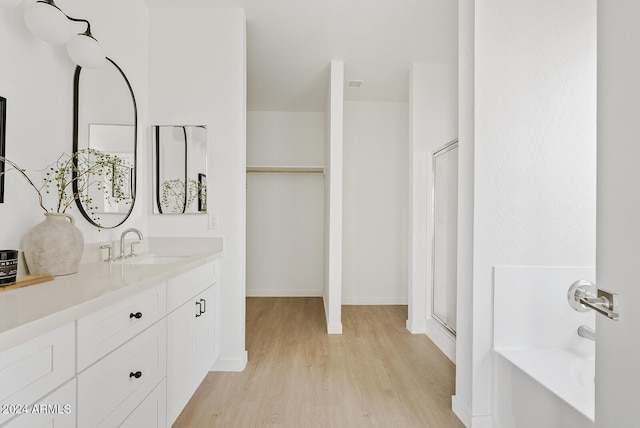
(534, 159)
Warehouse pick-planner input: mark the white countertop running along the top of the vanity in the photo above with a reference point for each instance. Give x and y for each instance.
(33, 310)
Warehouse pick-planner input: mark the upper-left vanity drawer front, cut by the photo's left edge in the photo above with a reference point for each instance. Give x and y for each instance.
(33, 369)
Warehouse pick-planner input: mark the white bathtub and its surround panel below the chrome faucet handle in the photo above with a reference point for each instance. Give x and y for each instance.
(539, 356)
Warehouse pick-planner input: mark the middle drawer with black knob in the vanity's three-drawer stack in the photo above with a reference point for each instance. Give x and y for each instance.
(112, 388)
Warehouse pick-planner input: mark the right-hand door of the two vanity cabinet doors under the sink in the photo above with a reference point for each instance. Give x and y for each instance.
(204, 336)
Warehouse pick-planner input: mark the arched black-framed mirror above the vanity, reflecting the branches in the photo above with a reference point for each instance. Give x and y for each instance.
(105, 129)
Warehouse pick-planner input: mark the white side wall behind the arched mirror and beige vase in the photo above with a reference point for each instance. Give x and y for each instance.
(37, 80)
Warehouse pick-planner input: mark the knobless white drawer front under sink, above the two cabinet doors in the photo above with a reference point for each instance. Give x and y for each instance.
(183, 287)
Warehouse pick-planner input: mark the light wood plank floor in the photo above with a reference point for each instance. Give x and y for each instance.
(374, 374)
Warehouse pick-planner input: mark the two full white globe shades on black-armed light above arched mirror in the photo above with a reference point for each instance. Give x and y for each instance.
(50, 24)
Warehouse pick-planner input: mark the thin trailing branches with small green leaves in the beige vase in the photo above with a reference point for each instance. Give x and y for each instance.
(70, 177)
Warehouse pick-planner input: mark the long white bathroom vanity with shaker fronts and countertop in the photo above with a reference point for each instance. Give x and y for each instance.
(117, 344)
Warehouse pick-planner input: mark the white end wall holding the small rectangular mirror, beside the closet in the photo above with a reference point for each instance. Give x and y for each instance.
(197, 75)
